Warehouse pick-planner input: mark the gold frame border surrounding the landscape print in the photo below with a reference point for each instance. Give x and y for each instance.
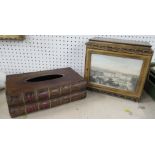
(127, 94)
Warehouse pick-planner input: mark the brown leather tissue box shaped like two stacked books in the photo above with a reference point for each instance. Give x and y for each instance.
(30, 92)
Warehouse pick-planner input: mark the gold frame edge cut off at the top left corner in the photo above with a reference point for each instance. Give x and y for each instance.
(12, 37)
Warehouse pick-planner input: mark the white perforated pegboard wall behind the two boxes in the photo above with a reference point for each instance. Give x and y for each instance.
(43, 52)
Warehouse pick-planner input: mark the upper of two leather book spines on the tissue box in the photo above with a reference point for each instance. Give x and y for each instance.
(45, 94)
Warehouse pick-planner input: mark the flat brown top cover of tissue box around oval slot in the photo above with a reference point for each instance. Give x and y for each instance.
(17, 83)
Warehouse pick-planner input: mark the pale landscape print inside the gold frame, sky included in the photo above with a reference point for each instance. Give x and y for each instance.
(115, 72)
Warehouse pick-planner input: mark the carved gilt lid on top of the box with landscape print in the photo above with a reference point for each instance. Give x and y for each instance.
(119, 45)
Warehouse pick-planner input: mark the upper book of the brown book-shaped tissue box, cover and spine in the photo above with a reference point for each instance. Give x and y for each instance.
(32, 87)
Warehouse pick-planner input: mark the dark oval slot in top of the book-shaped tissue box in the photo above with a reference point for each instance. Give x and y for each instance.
(45, 78)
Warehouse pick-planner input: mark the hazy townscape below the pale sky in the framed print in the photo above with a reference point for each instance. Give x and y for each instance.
(113, 79)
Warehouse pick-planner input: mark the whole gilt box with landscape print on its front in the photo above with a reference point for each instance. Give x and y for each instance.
(117, 71)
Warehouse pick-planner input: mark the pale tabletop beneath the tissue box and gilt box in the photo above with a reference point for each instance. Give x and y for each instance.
(96, 105)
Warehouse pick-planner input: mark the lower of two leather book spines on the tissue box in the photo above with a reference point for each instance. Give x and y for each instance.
(29, 108)
